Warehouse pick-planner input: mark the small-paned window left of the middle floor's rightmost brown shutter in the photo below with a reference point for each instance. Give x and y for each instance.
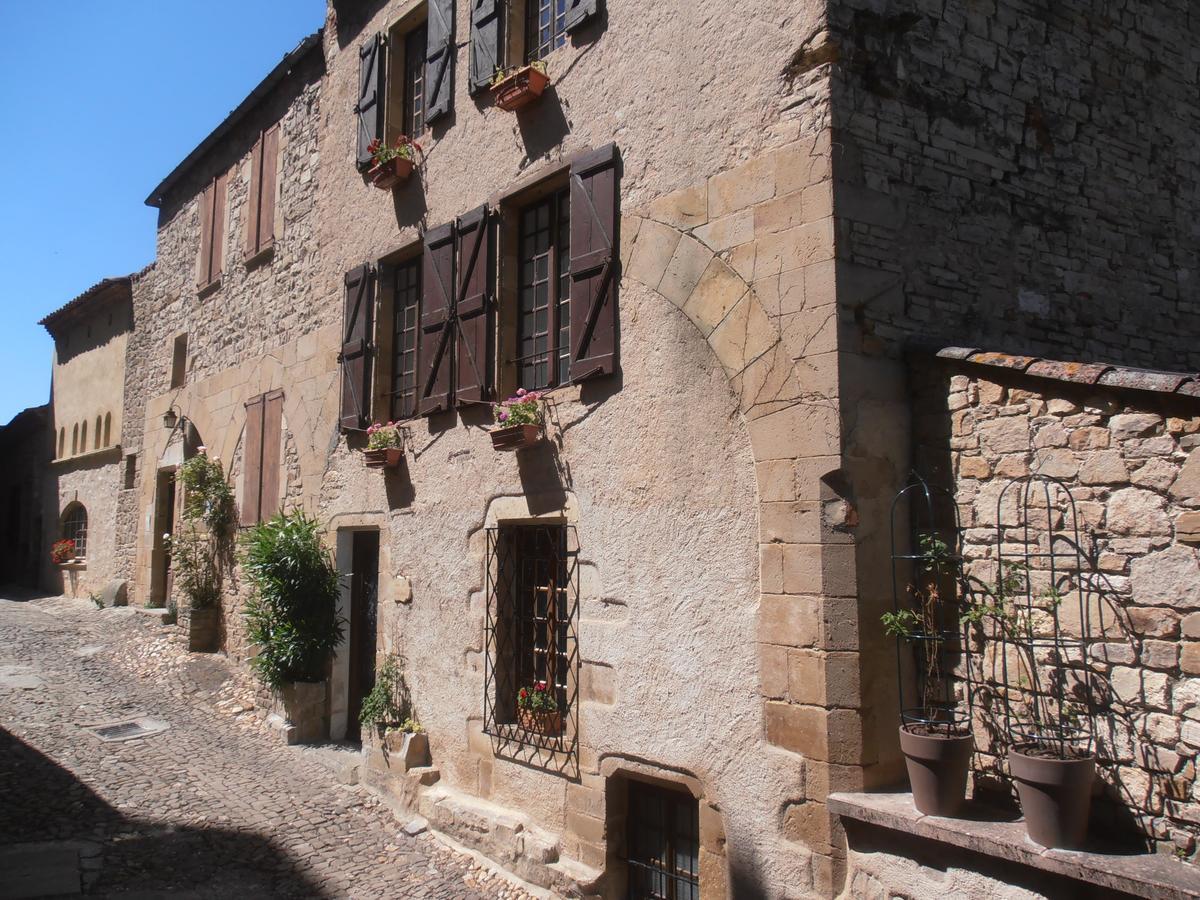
(544, 293)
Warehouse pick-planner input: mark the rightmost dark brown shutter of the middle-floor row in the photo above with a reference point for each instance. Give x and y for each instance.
(595, 277)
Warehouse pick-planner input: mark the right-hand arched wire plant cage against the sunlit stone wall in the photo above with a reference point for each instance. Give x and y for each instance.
(1045, 580)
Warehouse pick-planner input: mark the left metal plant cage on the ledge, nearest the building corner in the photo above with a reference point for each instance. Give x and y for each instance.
(931, 572)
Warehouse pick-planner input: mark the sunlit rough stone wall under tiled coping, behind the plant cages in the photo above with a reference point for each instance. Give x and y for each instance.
(1129, 459)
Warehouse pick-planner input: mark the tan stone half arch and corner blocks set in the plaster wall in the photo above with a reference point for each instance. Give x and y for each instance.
(808, 626)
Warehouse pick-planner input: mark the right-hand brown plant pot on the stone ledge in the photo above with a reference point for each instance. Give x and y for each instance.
(1055, 795)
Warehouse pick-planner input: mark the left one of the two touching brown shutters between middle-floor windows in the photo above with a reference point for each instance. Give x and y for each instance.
(437, 311)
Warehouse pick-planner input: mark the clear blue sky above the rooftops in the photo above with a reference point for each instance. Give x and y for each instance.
(101, 100)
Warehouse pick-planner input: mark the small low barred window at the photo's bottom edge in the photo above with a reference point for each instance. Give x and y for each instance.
(663, 836)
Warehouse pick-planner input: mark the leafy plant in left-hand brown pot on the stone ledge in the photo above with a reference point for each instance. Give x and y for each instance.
(935, 739)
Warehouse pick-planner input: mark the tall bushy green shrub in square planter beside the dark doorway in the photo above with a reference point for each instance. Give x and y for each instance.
(292, 615)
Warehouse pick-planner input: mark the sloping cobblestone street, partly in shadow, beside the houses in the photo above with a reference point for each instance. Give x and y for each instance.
(215, 807)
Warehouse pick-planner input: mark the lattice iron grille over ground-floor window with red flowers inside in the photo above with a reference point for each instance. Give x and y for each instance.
(533, 607)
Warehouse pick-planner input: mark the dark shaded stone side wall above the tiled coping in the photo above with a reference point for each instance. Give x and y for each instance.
(1019, 176)
